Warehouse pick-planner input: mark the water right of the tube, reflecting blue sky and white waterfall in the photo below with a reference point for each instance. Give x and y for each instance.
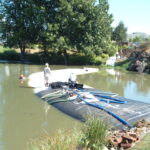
(128, 84)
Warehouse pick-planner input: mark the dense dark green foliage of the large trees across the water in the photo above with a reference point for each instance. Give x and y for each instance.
(59, 25)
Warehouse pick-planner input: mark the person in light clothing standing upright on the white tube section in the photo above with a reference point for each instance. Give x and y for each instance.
(47, 74)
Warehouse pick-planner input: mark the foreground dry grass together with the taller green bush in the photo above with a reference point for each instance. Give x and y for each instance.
(92, 136)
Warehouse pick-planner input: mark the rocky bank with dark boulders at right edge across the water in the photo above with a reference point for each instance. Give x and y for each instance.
(137, 60)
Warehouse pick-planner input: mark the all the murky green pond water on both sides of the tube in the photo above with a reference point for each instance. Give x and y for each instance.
(24, 116)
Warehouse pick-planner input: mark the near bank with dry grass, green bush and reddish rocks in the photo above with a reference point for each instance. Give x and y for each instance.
(95, 134)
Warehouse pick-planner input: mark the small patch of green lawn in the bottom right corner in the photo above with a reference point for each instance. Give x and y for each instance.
(144, 144)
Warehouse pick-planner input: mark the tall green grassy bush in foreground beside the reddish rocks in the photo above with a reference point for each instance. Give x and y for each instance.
(94, 134)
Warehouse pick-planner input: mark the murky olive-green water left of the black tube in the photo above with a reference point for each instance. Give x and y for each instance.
(22, 114)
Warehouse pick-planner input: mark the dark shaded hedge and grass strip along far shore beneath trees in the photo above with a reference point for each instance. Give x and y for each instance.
(52, 57)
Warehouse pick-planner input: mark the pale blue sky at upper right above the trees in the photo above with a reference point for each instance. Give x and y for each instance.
(135, 14)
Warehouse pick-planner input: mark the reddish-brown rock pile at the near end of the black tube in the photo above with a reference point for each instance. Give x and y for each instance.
(125, 139)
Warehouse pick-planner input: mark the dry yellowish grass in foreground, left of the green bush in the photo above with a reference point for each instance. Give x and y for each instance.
(62, 140)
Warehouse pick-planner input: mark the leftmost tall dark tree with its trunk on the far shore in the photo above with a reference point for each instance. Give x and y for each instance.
(22, 23)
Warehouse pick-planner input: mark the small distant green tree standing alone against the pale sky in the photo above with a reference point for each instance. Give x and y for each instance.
(120, 33)
